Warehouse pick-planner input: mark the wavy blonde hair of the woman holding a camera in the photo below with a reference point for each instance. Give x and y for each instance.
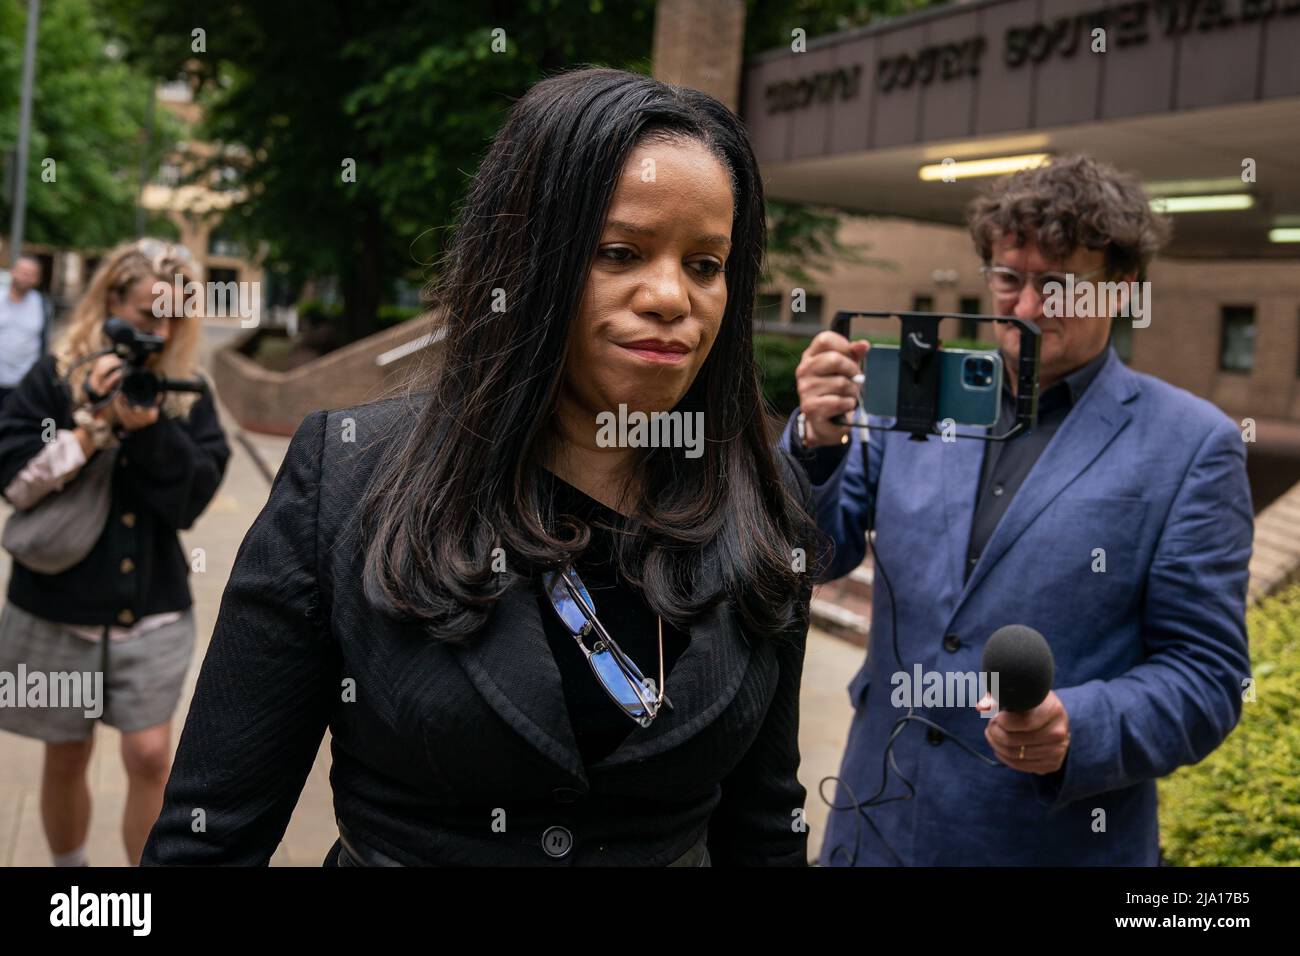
(119, 272)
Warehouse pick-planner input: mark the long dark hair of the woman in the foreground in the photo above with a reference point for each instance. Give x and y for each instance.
(466, 477)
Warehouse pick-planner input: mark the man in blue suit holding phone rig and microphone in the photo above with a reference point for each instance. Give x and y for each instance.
(1120, 529)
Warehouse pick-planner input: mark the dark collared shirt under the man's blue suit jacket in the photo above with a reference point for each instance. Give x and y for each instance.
(1008, 464)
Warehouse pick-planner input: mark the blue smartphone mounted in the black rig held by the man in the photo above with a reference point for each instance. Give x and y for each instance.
(970, 386)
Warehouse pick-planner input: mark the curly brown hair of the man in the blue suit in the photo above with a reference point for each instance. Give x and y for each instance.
(1074, 202)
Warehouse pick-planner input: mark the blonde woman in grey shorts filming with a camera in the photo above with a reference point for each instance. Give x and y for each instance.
(125, 609)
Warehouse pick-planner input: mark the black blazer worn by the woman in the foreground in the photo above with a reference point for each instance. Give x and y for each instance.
(452, 755)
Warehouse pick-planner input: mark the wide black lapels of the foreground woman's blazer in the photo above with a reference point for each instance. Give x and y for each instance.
(513, 668)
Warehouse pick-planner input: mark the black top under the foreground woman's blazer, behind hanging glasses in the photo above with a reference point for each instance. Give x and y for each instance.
(600, 725)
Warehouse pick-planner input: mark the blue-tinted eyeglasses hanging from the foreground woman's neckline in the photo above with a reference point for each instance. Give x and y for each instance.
(619, 676)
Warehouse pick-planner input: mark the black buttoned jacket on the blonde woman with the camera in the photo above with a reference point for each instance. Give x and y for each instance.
(164, 478)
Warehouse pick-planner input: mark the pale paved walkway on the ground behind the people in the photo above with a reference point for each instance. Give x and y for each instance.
(831, 663)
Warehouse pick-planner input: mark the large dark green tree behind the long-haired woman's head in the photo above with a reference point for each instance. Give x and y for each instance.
(365, 123)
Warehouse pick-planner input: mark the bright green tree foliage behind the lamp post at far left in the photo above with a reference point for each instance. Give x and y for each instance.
(90, 116)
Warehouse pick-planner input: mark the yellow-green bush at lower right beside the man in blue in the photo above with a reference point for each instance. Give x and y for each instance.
(1241, 807)
